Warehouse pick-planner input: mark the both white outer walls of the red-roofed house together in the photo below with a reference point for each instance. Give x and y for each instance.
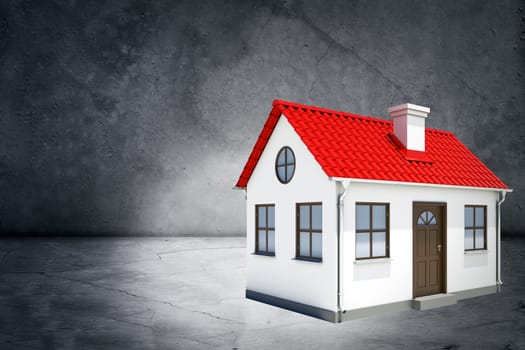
(363, 284)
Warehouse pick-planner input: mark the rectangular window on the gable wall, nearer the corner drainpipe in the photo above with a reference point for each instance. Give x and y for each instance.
(309, 240)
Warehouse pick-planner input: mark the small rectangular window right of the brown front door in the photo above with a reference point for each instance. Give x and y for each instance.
(475, 227)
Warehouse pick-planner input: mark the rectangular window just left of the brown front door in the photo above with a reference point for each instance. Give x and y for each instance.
(371, 234)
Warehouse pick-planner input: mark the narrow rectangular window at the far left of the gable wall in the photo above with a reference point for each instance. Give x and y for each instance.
(265, 229)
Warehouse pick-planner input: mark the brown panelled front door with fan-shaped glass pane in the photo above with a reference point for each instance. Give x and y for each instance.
(429, 248)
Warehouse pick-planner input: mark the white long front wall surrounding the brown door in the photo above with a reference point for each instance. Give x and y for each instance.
(391, 280)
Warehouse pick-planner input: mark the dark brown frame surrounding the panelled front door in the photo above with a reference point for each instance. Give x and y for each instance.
(443, 233)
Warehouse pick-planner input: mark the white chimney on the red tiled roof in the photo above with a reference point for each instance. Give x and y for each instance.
(409, 125)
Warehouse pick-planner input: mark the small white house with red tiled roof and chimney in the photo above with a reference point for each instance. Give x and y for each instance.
(349, 216)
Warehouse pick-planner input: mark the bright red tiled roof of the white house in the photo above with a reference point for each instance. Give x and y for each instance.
(353, 146)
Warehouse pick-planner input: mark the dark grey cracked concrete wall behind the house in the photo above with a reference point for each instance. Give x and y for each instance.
(136, 117)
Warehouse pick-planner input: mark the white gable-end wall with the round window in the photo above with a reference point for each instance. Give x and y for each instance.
(282, 276)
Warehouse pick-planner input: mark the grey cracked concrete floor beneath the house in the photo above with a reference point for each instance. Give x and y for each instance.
(188, 293)
